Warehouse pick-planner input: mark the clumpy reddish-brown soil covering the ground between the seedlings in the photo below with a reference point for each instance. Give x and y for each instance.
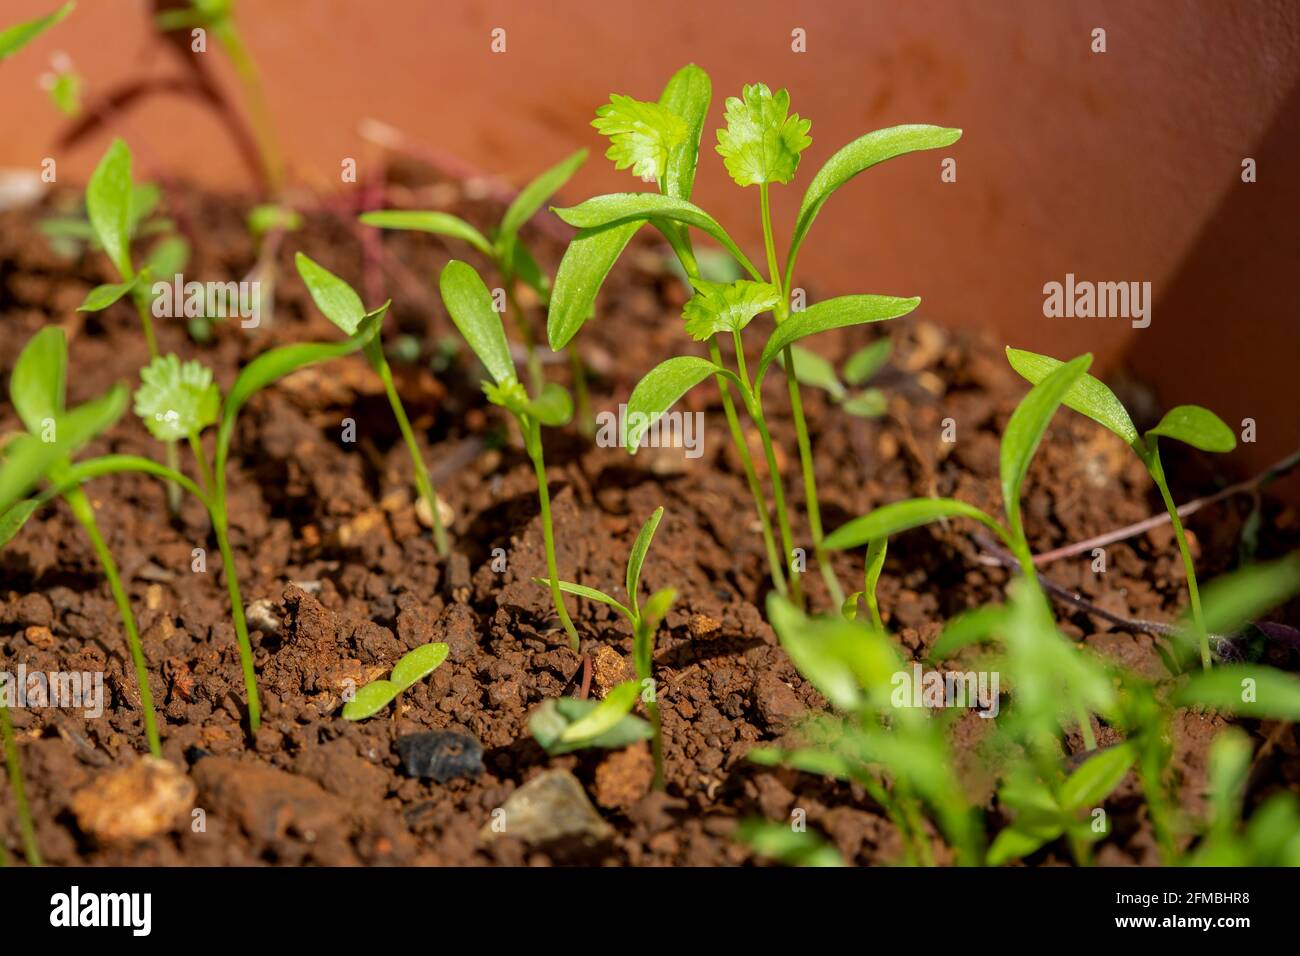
(327, 534)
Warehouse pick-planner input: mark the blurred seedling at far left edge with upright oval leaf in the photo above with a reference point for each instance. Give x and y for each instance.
(38, 392)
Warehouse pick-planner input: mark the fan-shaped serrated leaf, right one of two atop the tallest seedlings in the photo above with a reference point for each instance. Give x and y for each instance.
(762, 141)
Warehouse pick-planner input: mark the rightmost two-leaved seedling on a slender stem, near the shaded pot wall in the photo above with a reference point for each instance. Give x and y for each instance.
(1186, 423)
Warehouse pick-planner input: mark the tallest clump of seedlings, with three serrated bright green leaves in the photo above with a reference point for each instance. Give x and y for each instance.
(761, 145)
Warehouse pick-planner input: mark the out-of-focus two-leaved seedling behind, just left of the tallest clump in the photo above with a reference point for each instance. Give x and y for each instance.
(509, 254)
